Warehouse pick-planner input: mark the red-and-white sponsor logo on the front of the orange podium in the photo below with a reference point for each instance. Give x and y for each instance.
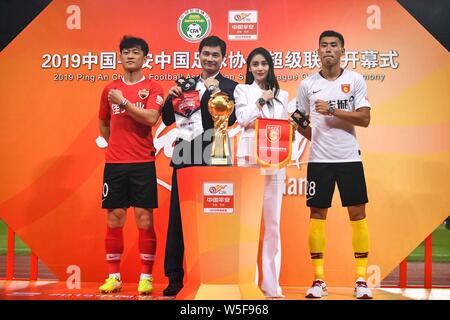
(218, 197)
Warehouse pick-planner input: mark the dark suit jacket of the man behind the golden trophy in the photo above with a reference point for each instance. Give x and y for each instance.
(204, 140)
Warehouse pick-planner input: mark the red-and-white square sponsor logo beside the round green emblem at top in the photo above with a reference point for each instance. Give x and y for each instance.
(242, 25)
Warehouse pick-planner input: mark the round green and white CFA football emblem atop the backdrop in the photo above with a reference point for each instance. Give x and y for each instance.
(194, 25)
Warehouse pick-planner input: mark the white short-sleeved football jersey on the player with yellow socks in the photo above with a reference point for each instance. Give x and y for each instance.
(333, 139)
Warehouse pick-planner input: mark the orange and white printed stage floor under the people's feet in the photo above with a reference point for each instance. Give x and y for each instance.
(57, 290)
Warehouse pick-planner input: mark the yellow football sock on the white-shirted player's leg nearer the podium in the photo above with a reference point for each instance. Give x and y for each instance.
(317, 246)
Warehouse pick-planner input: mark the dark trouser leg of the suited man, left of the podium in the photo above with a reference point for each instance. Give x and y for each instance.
(173, 259)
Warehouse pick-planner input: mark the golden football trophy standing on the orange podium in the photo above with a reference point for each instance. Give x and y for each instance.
(220, 106)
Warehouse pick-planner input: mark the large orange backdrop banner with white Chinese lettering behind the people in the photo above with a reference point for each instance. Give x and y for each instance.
(54, 71)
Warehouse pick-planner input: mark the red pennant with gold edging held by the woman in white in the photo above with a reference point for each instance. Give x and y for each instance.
(273, 142)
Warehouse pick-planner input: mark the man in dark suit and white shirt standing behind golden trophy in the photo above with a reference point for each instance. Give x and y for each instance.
(195, 129)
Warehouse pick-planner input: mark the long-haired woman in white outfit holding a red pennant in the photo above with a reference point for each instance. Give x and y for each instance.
(261, 97)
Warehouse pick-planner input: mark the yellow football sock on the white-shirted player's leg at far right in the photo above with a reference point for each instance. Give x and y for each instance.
(360, 241)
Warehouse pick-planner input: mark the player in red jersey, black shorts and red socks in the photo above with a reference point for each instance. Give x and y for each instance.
(129, 107)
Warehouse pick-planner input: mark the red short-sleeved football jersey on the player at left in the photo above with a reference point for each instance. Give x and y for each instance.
(130, 141)
